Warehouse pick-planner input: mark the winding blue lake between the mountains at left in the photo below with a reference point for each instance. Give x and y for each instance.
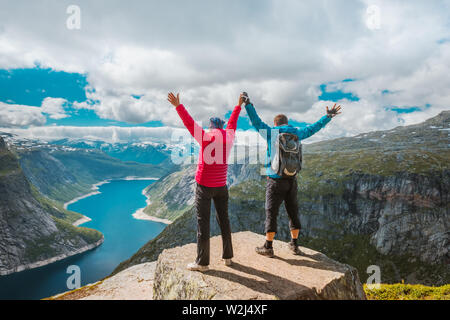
(111, 213)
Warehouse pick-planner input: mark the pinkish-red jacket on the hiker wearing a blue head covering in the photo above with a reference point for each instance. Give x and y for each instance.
(215, 146)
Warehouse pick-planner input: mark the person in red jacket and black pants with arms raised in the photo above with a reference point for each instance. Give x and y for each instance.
(211, 177)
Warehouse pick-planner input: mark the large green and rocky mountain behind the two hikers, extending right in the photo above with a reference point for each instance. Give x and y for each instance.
(380, 198)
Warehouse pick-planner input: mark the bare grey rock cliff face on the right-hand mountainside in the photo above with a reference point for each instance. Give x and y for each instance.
(403, 213)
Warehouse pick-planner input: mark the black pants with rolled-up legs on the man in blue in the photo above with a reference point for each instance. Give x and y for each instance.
(277, 191)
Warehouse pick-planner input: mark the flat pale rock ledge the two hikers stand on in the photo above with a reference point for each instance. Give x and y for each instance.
(253, 276)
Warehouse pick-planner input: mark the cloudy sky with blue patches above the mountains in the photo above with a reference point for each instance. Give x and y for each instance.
(386, 62)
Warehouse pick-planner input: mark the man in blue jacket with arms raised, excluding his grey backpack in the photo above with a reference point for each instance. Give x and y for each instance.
(279, 189)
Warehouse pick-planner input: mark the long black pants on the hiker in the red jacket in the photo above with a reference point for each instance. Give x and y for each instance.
(203, 197)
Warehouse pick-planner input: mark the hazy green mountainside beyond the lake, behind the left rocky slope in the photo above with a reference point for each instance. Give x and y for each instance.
(63, 173)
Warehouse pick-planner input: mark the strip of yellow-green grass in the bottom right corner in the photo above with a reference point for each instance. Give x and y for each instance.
(402, 291)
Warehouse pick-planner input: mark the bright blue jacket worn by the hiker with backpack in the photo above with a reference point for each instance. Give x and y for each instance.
(271, 133)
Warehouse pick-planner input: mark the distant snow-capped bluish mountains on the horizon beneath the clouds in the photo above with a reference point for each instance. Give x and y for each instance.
(142, 152)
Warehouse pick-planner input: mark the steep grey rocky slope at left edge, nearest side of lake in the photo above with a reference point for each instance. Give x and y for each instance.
(33, 229)
